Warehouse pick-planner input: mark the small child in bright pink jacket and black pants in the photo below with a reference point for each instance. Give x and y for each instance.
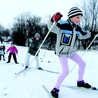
(12, 51)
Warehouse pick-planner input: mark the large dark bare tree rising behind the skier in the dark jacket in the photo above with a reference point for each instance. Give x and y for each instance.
(25, 25)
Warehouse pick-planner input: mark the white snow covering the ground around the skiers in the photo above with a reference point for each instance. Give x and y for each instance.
(31, 84)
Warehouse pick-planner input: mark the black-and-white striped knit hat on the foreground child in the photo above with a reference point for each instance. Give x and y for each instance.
(74, 11)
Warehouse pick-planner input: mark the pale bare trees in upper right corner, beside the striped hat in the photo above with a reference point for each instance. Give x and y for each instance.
(90, 8)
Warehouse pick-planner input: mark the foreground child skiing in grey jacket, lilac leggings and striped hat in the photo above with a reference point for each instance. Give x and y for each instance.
(68, 32)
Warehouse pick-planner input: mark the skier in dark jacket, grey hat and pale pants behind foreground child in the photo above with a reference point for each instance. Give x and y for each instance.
(34, 44)
